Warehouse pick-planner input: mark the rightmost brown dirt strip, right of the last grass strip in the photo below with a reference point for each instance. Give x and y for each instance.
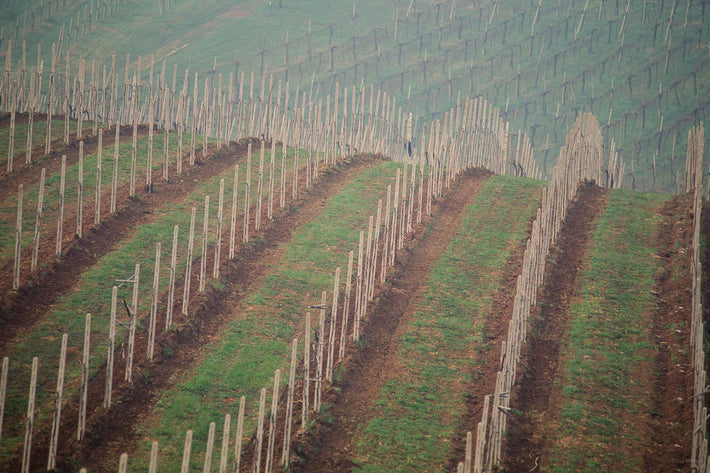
(671, 426)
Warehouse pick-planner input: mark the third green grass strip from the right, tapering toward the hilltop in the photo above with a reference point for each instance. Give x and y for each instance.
(243, 358)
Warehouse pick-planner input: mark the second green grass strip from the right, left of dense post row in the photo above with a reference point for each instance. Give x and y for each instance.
(417, 412)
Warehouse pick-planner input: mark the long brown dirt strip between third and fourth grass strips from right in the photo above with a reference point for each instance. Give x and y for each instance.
(111, 433)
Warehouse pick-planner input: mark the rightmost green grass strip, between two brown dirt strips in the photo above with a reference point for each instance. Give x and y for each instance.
(609, 351)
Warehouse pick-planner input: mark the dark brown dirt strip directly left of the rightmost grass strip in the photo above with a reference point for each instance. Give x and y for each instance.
(535, 398)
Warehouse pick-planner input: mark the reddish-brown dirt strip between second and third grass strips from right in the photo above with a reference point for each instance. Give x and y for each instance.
(330, 445)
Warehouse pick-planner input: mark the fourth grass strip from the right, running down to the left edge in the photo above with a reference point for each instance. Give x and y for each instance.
(93, 295)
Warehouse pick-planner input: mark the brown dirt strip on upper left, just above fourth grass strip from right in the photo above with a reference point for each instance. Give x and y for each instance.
(21, 310)
